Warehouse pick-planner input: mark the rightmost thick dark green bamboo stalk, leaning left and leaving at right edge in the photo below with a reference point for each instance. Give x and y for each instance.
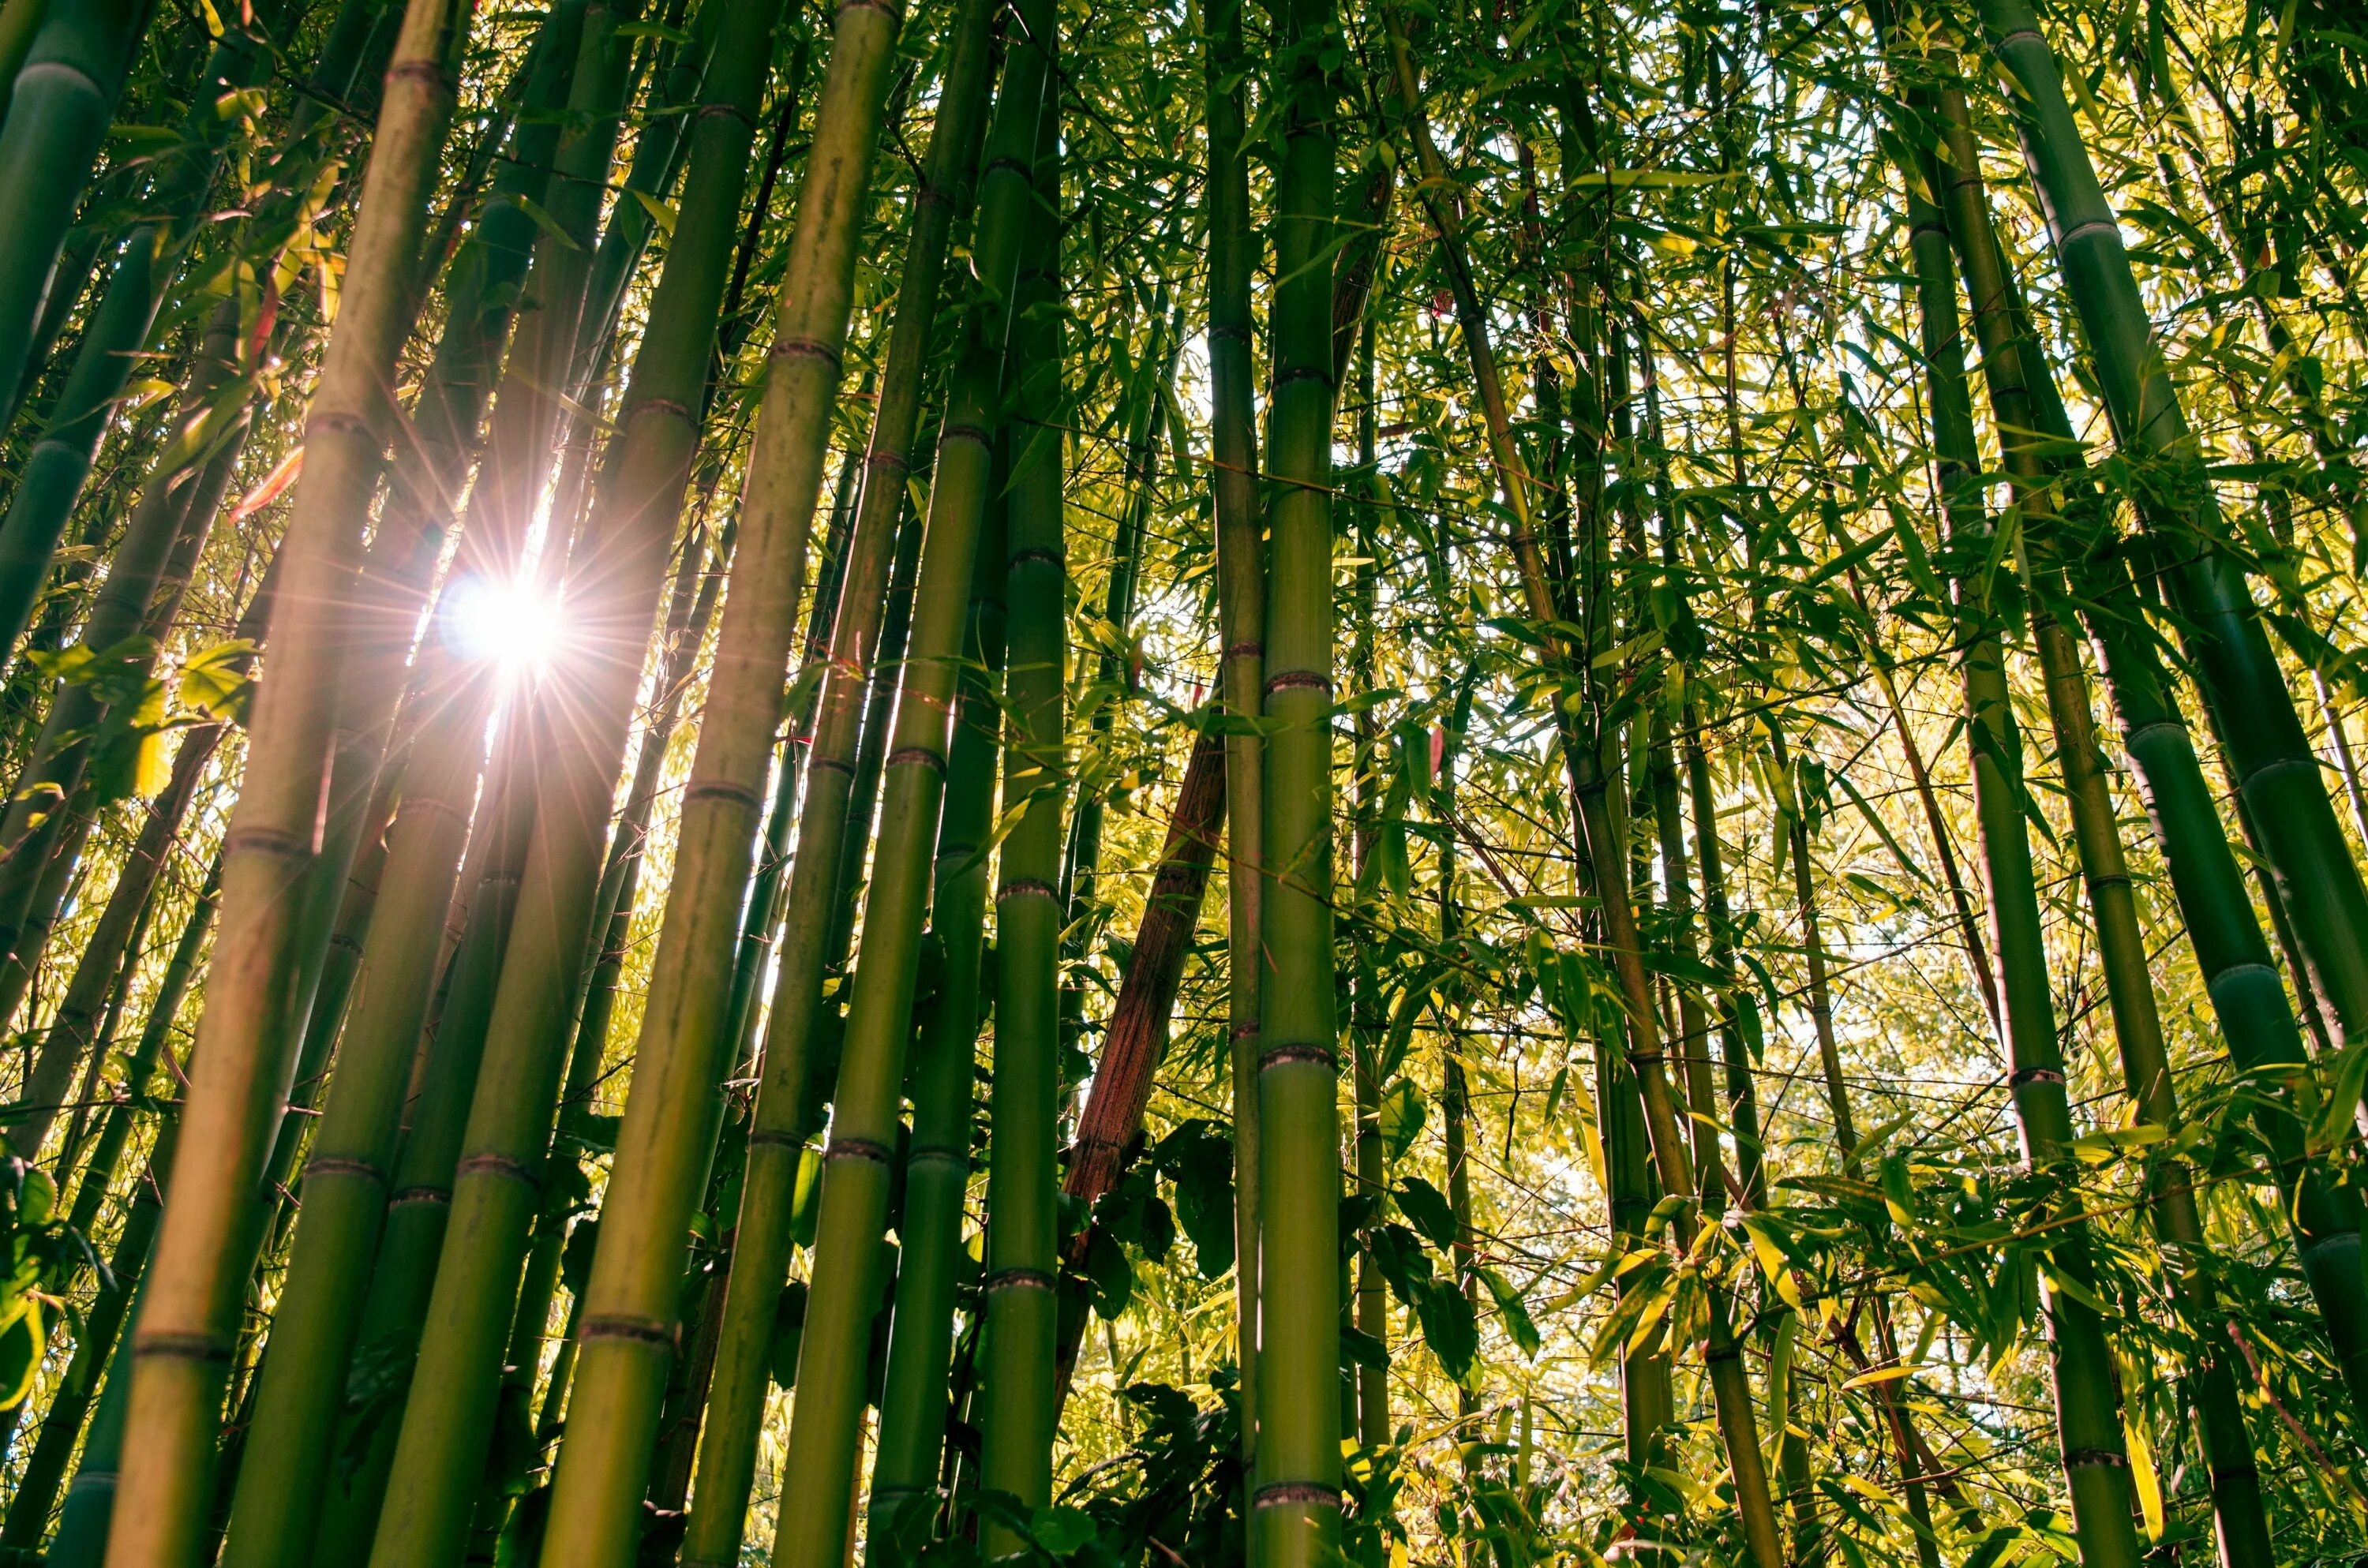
(2263, 733)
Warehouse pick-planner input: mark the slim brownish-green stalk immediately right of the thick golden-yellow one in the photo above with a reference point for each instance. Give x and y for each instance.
(785, 1107)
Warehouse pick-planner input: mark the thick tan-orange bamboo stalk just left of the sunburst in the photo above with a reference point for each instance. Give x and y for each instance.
(247, 1036)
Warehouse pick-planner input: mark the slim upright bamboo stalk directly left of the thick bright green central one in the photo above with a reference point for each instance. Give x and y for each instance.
(1242, 617)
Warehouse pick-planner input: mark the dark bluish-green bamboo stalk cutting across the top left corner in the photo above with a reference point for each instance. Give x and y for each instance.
(58, 117)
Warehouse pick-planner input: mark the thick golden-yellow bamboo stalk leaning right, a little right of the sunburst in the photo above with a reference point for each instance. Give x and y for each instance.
(669, 1129)
